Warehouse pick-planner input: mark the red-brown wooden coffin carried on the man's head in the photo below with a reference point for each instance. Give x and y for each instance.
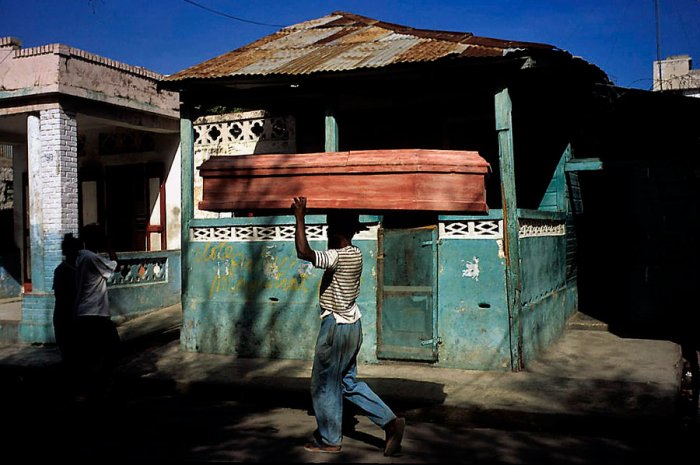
(411, 179)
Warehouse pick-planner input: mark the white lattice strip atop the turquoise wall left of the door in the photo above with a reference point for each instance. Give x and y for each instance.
(240, 233)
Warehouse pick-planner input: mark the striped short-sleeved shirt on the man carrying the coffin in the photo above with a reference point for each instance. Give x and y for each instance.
(340, 285)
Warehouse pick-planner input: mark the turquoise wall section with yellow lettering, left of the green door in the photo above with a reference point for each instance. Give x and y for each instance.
(257, 299)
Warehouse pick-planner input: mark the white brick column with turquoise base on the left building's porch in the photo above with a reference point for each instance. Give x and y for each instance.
(52, 140)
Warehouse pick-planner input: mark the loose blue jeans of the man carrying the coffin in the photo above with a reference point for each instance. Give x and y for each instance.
(333, 378)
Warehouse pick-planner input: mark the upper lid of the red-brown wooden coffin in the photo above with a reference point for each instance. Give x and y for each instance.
(369, 161)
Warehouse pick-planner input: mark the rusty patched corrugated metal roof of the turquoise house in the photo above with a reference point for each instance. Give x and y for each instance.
(344, 42)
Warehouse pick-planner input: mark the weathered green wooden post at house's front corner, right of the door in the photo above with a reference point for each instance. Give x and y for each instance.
(504, 126)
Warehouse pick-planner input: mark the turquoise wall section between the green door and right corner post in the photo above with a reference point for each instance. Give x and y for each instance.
(472, 310)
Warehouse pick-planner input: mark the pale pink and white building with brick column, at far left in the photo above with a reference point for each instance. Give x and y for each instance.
(85, 139)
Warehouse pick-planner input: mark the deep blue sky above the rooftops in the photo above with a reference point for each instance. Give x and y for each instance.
(167, 36)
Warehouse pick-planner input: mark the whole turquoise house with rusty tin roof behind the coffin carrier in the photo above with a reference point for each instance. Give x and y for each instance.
(473, 290)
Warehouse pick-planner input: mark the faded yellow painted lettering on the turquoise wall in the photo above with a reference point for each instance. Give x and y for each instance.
(253, 269)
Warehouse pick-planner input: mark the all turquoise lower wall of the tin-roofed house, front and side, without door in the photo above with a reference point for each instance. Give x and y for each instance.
(255, 299)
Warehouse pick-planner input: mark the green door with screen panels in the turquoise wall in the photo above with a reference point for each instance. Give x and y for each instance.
(407, 300)
